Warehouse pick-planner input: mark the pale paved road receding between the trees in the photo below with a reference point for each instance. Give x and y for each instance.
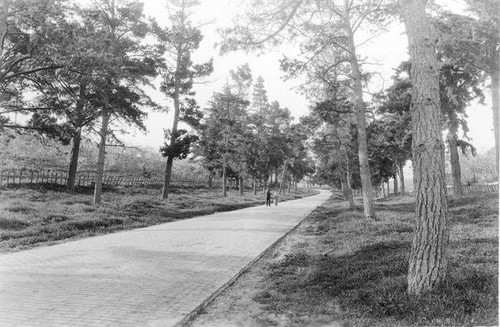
(153, 276)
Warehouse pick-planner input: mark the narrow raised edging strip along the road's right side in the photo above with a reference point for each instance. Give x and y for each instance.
(196, 311)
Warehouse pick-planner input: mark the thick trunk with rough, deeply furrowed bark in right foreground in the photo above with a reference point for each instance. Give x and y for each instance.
(428, 257)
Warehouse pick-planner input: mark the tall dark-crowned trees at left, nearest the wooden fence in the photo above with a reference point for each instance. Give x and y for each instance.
(79, 70)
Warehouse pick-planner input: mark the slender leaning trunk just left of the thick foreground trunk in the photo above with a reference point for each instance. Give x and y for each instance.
(364, 167)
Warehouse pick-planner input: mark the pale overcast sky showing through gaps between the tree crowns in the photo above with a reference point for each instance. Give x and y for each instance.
(387, 52)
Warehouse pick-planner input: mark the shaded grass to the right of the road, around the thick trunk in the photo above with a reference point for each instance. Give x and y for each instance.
(336, 269)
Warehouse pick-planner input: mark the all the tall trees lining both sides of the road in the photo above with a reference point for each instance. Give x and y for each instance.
(85, 68)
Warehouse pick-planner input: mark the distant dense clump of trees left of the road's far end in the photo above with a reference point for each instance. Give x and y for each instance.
(246, 137)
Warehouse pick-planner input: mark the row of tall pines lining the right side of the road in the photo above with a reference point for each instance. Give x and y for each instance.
(451, 58)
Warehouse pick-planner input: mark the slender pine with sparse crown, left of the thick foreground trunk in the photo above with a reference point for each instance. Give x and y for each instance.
(327, 27)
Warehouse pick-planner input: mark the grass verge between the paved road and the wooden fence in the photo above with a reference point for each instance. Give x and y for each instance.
(46, 215)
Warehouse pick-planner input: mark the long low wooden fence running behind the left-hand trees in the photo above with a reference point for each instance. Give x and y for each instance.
(17, 177)
